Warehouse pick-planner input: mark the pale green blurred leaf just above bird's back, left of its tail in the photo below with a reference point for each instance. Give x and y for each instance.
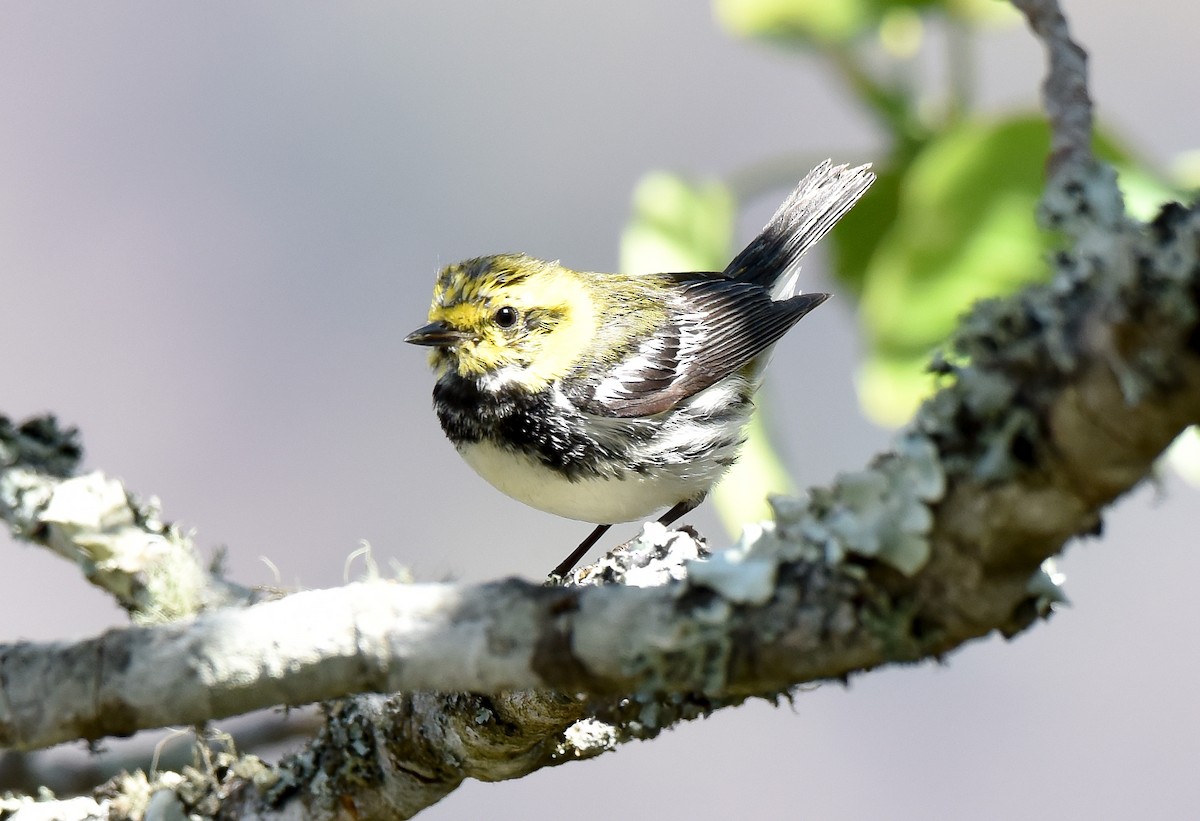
(679, 226)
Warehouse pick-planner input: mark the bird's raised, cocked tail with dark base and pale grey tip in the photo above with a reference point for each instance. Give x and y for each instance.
(821, 199)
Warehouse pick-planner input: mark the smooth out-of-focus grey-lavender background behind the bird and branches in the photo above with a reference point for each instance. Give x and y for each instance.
(219, 221)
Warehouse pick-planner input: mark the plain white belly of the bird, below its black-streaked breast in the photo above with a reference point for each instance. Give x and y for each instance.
(601, 501)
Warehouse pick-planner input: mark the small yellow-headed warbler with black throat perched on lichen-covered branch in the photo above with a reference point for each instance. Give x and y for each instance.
(607, 398)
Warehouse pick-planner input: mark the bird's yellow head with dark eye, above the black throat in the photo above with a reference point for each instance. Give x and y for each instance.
(530, 319)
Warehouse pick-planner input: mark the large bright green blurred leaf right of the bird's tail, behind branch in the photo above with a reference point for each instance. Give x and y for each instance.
(963, 230)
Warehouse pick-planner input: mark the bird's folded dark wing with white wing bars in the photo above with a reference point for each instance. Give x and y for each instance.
(715, 327)
